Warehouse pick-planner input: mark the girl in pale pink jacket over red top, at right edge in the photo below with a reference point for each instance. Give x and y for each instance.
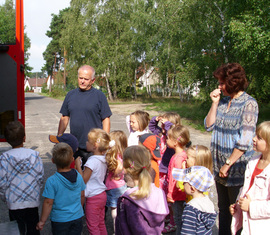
(251, 210)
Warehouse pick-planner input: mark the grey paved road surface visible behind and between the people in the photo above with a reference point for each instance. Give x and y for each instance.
(42, 117)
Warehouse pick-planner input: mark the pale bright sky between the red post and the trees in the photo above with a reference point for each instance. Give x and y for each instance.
(37, 18)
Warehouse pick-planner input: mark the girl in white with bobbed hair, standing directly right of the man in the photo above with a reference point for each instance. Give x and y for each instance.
(137, 123)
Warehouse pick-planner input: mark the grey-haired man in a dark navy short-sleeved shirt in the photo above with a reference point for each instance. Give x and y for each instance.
(85, 108)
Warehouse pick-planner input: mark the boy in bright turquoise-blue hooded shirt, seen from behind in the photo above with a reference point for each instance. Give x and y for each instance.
(64, 194)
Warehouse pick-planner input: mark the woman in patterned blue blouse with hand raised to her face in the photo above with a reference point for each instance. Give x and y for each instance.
(233, 122)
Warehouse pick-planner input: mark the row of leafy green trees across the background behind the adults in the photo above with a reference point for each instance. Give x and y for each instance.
(185, 40)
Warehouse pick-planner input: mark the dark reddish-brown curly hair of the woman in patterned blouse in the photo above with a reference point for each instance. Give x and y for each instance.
(234, 77)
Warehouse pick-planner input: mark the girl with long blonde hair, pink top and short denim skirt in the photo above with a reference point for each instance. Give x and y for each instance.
(115, 182)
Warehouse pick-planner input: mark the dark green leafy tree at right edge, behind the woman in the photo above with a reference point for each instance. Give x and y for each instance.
(250, 31)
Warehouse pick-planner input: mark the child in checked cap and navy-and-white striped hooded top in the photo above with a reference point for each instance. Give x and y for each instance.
(199, 215)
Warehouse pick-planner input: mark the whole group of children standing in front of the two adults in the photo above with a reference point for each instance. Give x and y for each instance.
(154, 181)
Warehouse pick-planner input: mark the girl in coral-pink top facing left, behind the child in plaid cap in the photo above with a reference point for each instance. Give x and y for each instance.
(178, 137)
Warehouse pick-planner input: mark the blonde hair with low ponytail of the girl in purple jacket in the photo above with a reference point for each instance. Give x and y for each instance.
(136, 161)
